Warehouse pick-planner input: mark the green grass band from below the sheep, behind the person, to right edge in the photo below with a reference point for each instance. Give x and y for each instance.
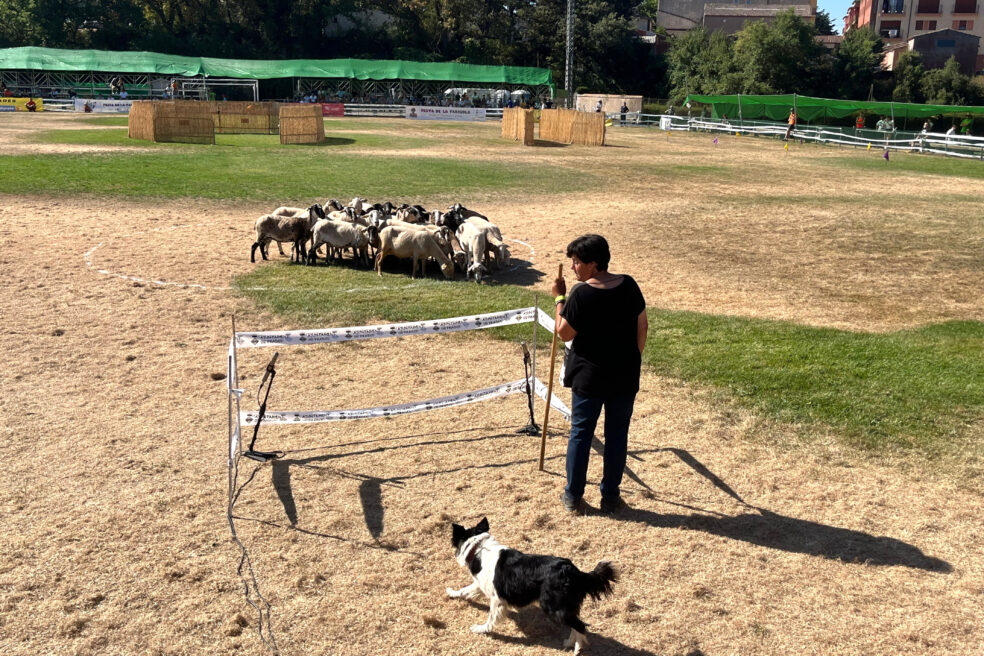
(916, 389)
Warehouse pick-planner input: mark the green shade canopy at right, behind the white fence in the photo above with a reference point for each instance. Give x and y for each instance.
(809, 109)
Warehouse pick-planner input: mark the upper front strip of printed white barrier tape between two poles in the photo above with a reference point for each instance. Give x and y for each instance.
(430, 327)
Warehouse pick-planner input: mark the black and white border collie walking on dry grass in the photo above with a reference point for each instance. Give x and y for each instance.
(510, 578)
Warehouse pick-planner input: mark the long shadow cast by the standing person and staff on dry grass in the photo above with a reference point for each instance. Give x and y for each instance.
(768, 529)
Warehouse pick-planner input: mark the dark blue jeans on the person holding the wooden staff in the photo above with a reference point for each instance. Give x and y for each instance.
(584, 417)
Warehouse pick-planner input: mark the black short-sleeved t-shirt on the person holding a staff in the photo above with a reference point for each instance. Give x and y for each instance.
(604, 359)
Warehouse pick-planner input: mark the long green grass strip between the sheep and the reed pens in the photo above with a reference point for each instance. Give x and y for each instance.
(270, 174)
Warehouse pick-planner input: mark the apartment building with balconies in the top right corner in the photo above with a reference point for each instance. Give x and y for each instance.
(900, 21)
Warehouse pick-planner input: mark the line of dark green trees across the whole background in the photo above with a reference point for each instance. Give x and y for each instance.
(779, 57)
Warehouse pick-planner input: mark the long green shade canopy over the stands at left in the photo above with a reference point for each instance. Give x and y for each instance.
(54, 59)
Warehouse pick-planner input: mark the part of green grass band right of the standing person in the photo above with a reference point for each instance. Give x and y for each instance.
(909, 389)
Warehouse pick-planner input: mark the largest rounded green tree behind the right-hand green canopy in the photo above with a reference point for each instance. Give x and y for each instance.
(780, 57)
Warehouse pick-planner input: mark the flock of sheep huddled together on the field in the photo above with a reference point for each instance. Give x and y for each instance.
(456, 238)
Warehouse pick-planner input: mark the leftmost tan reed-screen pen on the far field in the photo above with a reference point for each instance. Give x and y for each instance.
(175, 121)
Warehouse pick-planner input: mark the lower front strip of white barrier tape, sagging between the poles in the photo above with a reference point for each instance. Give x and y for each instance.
(318, 416)
